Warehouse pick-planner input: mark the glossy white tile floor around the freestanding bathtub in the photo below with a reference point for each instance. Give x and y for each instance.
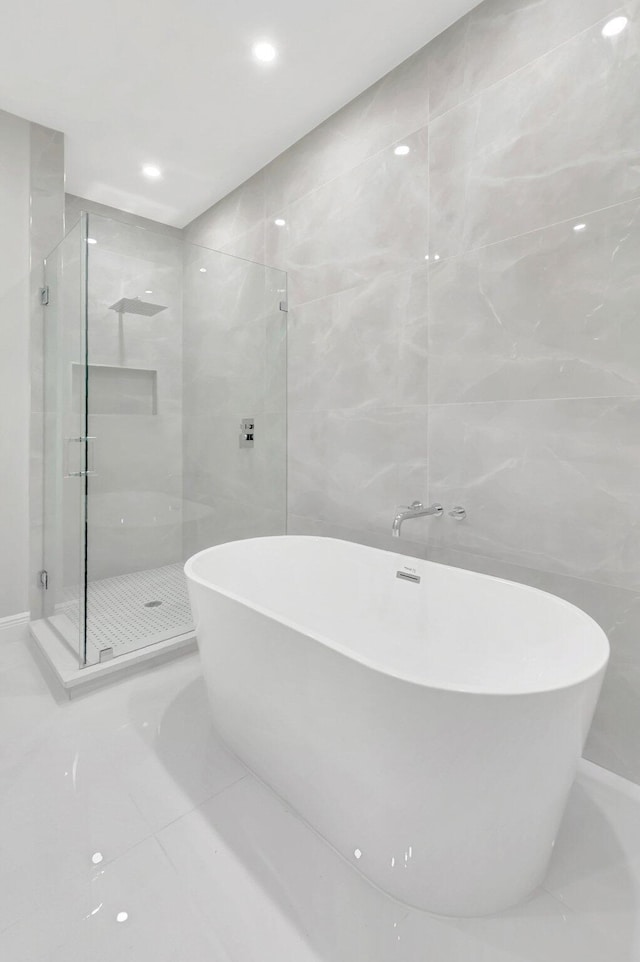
(209, 865)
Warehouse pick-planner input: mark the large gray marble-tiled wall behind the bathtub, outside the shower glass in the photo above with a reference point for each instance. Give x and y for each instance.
(451, 335)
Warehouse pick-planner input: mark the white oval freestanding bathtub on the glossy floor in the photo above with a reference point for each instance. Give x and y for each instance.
(426, 720)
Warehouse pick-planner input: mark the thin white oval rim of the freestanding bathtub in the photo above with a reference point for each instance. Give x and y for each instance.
(485, 692)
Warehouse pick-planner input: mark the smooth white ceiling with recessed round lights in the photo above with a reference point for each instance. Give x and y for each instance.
(173, 83)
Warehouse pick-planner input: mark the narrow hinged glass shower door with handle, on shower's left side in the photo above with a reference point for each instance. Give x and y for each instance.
(66, 448)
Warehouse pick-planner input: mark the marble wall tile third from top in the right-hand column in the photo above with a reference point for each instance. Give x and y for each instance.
(549, 314)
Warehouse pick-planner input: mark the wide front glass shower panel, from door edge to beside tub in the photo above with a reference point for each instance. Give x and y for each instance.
(186, 345)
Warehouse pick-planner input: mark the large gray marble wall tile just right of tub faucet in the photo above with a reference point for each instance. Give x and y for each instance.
(546, 484)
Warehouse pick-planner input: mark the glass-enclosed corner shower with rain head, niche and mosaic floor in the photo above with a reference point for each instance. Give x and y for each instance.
(164, 433)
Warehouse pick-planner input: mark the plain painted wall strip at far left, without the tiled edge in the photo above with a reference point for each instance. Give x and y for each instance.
(14, 361)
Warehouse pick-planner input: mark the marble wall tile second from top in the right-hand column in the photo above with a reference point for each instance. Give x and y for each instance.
(541, 146)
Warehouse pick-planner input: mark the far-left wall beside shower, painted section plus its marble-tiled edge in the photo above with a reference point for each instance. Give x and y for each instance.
(31, 224)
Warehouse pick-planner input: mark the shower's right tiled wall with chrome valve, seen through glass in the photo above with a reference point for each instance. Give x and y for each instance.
(234, 402)
